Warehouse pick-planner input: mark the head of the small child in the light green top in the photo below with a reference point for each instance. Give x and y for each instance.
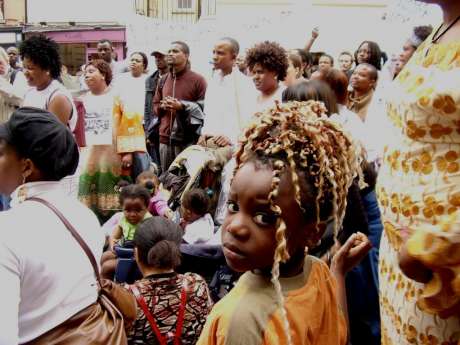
(134, 200)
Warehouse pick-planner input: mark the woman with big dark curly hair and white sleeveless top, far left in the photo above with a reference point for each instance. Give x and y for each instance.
(42, 67)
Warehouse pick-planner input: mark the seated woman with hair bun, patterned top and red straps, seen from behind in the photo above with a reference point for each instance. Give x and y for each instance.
(173, 307)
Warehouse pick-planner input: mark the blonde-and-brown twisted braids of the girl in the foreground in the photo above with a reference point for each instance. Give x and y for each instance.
(297, 138)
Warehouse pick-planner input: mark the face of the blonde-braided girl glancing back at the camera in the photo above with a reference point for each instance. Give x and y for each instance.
(248, 232)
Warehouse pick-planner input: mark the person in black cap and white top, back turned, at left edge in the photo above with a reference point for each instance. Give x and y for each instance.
(39, 290)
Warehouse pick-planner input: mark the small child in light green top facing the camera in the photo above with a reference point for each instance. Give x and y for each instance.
(134, 200)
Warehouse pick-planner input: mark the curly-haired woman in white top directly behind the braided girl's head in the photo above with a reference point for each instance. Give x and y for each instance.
(268, 64)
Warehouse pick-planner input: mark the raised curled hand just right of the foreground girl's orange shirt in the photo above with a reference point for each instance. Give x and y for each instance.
(351, 253)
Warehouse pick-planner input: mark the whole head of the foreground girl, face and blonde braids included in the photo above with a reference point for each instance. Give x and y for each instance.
(294, 168)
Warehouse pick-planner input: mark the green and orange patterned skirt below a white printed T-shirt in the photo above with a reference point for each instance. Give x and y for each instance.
(100, 168)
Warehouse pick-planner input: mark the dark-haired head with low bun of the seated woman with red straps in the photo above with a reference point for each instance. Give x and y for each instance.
(157, 242)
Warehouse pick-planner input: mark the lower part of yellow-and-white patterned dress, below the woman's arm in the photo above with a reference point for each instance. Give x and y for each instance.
(403, 322)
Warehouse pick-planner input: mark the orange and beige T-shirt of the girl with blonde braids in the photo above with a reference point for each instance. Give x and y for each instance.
(250, 315)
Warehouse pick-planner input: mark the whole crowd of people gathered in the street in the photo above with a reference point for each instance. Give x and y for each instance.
(319, 194)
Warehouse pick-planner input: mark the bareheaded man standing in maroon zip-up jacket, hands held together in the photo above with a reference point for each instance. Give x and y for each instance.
(179, 103)
